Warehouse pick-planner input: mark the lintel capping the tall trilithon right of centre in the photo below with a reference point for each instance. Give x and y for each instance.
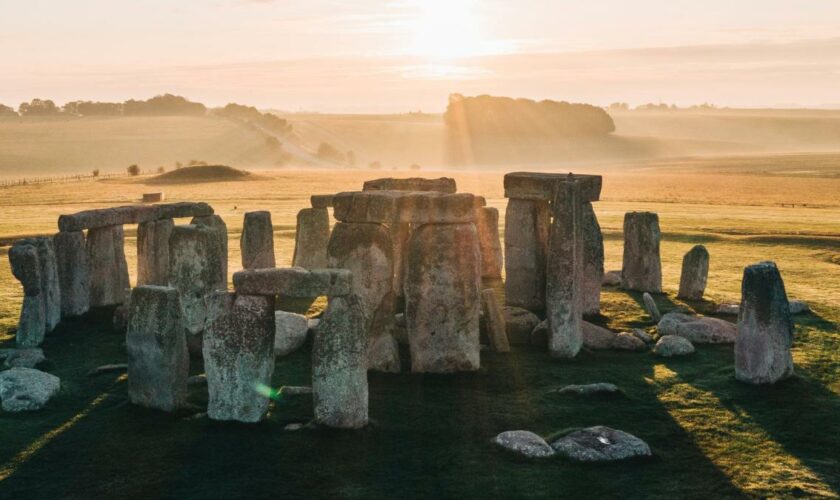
(543, 186)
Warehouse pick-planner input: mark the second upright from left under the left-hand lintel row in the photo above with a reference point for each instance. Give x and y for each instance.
(107, 265)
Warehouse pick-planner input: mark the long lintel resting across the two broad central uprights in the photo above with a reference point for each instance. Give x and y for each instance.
(388, 207)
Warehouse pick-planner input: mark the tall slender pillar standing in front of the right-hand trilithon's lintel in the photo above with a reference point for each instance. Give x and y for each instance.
(564, 299)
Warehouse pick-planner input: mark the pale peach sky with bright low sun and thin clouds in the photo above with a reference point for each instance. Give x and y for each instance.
(408, 55)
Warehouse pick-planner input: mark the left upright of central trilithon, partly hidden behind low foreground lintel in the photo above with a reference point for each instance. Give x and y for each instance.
(366, 250)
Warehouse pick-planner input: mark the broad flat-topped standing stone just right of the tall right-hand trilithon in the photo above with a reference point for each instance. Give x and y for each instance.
(642, 268)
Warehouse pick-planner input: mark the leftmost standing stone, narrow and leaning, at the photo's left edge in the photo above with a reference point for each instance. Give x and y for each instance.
(23, 259)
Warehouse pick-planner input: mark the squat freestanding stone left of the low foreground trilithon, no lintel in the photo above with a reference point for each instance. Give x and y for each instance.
(158, 361)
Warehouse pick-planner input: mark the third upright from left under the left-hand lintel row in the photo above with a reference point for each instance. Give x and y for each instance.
(153, 252)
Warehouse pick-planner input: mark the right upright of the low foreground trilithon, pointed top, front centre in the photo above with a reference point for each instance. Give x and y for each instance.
(339, 366)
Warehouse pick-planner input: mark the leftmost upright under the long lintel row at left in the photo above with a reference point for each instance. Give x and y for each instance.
(73, 273)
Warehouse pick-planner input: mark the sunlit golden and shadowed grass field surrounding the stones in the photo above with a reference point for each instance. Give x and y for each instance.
(711, 436)
